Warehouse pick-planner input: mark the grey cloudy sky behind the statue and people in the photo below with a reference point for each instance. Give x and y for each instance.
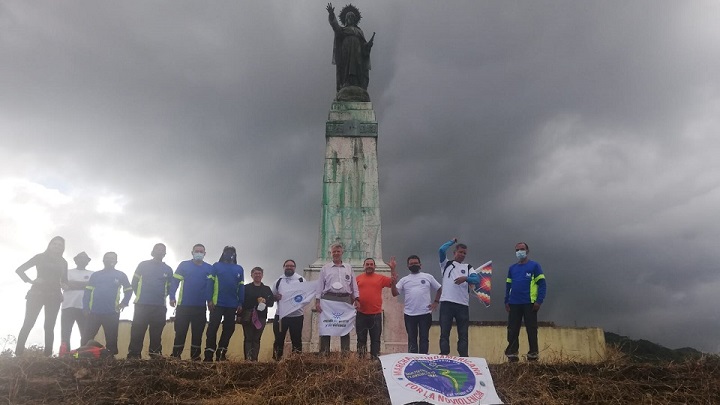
(587, 129)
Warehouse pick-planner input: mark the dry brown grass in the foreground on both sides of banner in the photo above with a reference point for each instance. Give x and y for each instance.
(308, 379)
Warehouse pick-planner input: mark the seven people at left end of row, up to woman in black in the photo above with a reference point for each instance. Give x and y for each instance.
(92, 300)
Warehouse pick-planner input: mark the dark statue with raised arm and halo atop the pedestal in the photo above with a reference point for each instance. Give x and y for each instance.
(351, 53)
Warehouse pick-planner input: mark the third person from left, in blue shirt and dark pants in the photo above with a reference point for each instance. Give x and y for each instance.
(101, 302)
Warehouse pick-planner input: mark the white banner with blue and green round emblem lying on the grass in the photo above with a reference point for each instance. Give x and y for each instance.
(437, 379)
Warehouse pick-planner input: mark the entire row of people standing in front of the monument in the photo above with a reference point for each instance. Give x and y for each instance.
(92, 300)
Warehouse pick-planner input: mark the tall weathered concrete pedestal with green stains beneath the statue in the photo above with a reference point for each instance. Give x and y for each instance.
(351, 215)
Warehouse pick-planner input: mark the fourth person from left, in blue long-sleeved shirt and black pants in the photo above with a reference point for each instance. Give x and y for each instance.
(151, 283)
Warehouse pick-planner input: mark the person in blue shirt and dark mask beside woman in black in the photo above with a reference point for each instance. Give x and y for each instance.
(226, 293)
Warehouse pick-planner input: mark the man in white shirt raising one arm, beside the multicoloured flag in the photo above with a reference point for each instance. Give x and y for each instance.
(454, 299)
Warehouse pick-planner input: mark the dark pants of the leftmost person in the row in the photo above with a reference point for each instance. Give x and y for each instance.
(33, 305)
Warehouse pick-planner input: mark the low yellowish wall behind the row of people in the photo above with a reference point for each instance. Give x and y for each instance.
(585, 345)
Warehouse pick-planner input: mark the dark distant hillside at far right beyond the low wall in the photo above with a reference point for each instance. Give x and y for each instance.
(646, 351)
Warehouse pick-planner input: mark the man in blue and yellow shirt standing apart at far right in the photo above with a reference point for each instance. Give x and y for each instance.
(524, 293)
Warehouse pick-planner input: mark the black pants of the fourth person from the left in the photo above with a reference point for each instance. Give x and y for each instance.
(147, 317)
